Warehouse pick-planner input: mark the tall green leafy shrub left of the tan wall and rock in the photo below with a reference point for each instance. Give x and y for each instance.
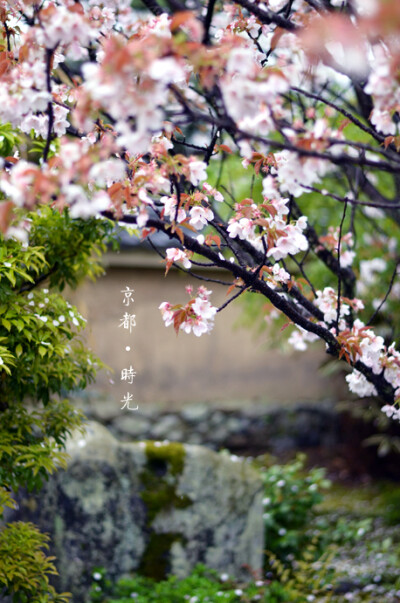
(42, 359)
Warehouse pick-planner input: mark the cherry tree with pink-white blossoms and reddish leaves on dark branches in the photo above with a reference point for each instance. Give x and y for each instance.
(261, 137)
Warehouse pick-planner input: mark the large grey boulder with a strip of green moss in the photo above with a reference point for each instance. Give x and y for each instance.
(150, 507)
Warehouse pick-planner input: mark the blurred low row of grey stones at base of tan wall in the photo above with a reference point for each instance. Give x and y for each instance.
(247, 428)
